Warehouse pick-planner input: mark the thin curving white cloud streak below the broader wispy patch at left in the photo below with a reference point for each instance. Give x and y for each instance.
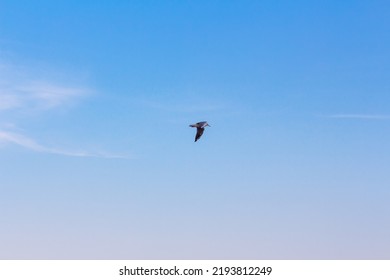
(28, 143)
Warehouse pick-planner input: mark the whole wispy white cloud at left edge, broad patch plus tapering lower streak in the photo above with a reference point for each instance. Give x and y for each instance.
(22, 91)
